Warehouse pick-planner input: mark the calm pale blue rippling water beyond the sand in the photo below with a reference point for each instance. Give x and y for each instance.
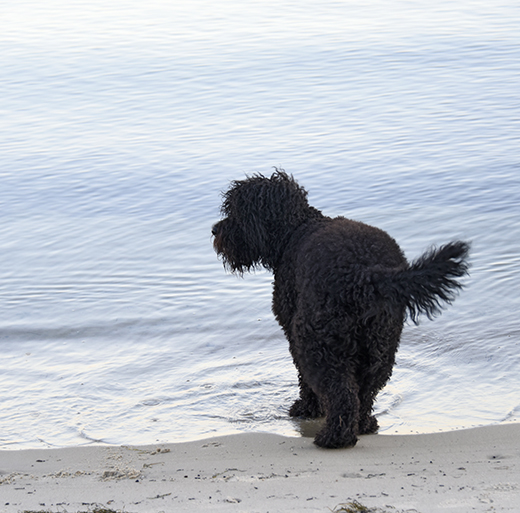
(119, 128)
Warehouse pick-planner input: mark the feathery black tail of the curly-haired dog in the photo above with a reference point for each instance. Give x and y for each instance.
(427, 283)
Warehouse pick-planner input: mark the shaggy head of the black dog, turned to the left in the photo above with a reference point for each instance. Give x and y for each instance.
(259, 216)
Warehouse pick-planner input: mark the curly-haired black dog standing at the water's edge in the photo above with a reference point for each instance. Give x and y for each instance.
(342, 290)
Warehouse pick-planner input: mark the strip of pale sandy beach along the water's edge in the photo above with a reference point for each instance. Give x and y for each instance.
(461, 471)
